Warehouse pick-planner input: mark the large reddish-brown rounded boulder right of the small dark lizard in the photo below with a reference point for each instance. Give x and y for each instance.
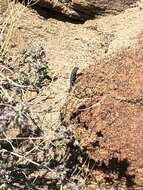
(105, 110)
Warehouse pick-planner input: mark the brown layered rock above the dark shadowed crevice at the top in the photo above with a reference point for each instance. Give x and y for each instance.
(84, 9)
